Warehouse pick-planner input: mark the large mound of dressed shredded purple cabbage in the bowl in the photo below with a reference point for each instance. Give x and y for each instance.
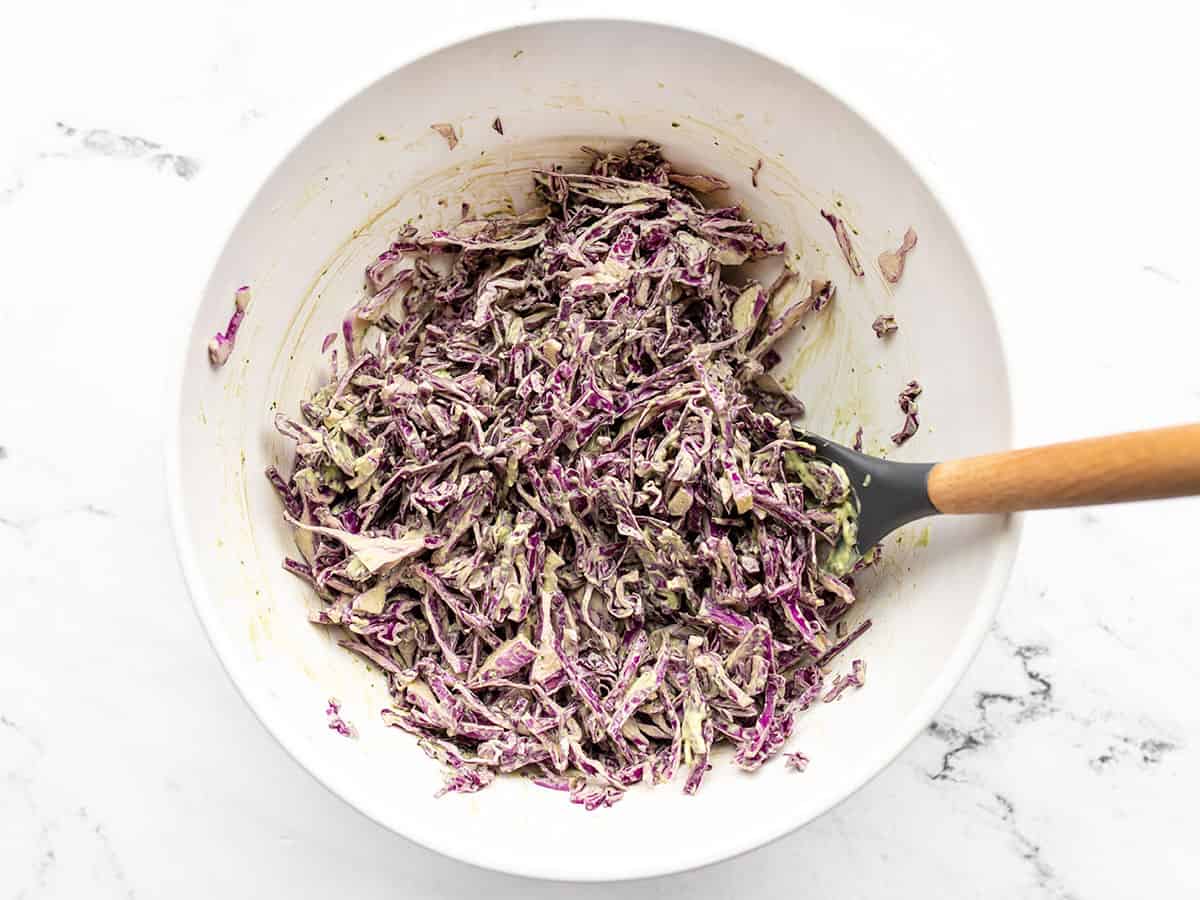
(549, 491)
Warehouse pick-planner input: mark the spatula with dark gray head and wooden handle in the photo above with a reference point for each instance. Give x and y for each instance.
(1138, 466)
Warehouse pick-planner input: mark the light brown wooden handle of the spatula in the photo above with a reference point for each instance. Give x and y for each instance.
(1139, 466)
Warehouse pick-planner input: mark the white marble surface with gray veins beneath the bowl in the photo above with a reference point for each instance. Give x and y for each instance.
(1065, 766)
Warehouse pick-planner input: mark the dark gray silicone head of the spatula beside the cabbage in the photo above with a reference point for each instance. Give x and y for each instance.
(890, 494)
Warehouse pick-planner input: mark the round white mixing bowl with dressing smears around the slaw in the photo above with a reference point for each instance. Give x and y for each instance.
(334, 203)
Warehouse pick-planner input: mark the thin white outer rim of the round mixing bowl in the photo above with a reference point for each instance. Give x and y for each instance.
(533, 867)
